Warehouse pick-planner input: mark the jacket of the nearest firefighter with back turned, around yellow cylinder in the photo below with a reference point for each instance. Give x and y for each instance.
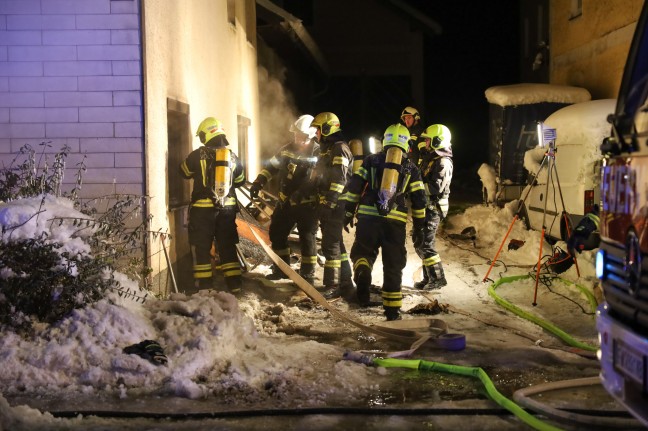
(362, 191)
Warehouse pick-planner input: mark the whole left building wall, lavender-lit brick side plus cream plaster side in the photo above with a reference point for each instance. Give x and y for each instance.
(89, 74)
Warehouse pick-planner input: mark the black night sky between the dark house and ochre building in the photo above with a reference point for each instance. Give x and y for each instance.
(480, 45)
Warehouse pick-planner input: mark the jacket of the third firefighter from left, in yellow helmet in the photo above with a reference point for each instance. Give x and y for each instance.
(332, 170)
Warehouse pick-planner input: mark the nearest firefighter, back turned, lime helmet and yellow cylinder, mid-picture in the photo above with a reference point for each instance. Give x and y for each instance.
(379, 191)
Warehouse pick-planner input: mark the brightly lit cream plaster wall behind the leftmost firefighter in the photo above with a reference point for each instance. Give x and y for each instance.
(195, 55)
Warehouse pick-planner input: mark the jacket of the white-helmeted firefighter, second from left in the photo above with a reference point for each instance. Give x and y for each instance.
(293, 166)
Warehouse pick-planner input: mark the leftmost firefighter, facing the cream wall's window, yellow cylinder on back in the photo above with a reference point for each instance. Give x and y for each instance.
(215, 171)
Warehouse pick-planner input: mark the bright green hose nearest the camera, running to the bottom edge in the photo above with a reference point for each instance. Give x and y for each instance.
(476, 372)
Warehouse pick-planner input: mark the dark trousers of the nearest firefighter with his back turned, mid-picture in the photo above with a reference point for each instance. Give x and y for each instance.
(374, 233)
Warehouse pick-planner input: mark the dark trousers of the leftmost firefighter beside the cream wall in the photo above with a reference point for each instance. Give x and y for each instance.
(206, 225)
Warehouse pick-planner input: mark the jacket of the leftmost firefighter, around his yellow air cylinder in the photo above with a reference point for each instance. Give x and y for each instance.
(200, 165)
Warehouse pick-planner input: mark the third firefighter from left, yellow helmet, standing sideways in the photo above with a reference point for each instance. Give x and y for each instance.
(331, 173)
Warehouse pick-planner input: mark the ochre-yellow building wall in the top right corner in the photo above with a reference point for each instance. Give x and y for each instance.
(590, 50)
